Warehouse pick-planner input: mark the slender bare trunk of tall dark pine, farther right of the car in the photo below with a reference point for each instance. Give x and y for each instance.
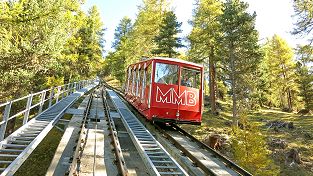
(233, 84)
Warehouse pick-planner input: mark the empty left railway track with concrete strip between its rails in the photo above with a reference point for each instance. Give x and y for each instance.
(93, 152)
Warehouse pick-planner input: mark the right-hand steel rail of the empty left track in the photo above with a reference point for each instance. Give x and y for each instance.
(117, 148)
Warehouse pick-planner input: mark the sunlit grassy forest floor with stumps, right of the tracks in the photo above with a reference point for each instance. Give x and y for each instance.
(300, 137)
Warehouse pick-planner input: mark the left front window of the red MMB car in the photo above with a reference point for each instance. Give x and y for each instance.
(166, 73)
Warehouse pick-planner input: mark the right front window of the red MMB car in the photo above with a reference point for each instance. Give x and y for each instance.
(190, 78)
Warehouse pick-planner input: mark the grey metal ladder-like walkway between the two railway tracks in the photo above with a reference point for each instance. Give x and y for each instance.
(155, 157)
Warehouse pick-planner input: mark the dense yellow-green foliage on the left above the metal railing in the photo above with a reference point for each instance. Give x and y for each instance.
(45, 39)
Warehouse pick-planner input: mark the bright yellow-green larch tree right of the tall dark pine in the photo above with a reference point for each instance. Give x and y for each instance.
(280, 70)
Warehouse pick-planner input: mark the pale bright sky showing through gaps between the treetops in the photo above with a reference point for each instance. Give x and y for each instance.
(273, 16)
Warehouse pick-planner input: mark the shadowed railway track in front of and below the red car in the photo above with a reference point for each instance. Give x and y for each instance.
(206, 158)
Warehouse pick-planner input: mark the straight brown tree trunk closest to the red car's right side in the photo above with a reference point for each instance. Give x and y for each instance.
(212, 82)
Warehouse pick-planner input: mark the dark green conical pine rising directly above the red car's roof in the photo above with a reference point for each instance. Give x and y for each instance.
(167, 40)
